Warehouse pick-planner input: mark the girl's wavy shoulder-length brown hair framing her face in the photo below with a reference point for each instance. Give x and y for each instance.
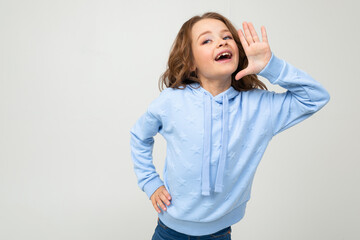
(178, 73)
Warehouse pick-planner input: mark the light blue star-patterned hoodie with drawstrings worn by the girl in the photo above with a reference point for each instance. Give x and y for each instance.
(215, 143)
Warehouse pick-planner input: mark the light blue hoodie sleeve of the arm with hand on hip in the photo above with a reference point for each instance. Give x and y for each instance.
(142, 142)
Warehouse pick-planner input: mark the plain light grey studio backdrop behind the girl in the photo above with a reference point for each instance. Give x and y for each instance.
(76, 75)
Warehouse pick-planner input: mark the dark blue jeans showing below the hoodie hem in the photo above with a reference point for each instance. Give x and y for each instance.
(162, 232)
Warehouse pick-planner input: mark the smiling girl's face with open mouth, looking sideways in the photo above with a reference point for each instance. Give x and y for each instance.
(216, 55)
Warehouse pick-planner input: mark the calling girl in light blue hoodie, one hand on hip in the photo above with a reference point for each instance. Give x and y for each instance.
(217, 119)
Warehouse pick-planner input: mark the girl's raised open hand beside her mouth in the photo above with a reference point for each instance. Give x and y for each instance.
(258, 52)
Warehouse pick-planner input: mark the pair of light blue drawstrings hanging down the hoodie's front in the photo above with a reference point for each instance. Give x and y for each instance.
(207, 143)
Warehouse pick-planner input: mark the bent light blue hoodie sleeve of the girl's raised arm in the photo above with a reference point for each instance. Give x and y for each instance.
(304, 95)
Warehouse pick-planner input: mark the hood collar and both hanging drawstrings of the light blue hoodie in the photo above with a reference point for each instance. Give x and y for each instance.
(222, 98)
